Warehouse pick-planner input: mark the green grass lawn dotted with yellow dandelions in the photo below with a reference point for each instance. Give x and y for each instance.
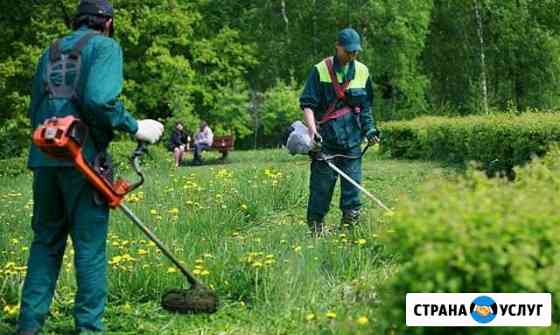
(240, 226)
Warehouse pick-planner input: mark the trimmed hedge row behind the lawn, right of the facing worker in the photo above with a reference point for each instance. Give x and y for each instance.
(499, 141)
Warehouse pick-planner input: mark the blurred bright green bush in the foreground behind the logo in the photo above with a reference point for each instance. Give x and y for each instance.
(478, 234)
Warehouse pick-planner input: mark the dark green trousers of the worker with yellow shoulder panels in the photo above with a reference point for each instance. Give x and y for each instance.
(323, 180)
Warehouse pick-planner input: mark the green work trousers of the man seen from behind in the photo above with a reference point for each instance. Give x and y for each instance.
(64, 206)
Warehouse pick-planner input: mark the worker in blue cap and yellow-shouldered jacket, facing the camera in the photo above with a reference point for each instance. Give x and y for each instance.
(337, 102)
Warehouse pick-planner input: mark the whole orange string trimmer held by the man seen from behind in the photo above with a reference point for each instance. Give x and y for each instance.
(63, 138)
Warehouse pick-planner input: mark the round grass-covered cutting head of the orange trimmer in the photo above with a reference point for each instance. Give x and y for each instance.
(195, 300)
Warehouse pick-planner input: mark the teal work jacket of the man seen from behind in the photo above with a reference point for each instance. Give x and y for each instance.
(99, 85)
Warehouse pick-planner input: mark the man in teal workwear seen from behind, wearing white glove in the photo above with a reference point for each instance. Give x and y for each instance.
(80, 75)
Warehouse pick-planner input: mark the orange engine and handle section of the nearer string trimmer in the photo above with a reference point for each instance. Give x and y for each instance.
(63, 138)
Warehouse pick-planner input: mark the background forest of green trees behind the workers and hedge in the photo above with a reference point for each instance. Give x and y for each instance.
(241, 64)
